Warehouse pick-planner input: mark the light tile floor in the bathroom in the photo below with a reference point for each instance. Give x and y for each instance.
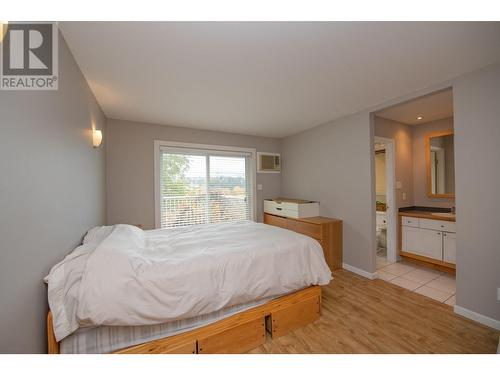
(428, 282)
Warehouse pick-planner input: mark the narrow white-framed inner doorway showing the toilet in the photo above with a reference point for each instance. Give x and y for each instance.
(385, 201)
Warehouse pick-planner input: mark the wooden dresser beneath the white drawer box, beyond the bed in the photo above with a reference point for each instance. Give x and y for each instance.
(327, 231)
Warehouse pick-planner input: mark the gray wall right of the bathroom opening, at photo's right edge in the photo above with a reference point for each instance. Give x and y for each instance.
(477, 176)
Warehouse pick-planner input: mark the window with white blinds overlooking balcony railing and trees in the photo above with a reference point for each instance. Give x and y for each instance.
(200, 184)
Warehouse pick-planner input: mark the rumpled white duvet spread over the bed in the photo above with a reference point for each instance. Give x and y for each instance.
(122, 275)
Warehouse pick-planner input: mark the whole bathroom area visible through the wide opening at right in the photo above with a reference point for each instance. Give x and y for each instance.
(415, 195)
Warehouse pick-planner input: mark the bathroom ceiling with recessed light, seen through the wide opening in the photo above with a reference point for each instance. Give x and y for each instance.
(435, 106)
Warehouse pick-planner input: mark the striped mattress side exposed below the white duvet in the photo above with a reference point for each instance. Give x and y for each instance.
(108, 339)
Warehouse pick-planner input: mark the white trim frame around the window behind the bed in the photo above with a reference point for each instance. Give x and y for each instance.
(228, 150)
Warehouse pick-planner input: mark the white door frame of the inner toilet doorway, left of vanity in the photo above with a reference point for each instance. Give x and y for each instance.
(391, 210)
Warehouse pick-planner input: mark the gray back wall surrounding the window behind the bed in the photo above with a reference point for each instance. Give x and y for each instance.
(130, 166)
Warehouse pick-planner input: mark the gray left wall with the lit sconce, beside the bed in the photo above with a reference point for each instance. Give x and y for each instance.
(52, 190)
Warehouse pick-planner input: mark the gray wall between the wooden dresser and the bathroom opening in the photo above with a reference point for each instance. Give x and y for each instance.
(333, 164)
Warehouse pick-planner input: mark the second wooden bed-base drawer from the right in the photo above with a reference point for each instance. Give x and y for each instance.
(239, 339)
